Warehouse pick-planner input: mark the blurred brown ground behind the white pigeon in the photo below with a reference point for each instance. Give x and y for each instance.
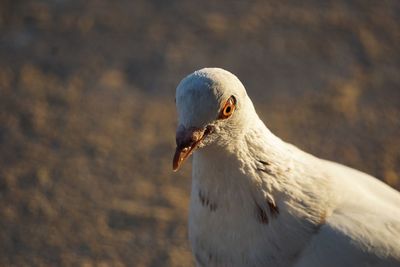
(87, 116)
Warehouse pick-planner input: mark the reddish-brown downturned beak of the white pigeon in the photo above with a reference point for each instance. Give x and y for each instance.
(187, 140)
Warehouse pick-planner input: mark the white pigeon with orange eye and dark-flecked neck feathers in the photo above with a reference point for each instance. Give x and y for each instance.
(258, 201)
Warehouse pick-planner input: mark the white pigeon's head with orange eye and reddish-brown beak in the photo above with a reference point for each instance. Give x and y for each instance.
(213, 107)
